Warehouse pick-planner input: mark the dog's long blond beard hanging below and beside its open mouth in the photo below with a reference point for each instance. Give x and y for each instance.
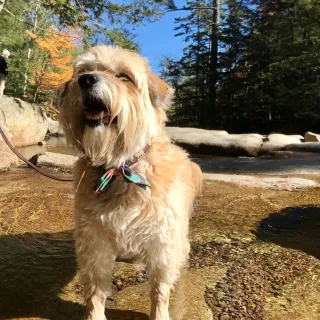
(112, 145)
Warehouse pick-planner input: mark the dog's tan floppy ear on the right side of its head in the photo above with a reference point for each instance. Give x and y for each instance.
(160, 93)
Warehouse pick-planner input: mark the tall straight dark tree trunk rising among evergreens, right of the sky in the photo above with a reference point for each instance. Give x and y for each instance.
(211, 120)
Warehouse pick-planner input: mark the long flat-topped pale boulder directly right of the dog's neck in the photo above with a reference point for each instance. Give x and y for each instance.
(215, 142)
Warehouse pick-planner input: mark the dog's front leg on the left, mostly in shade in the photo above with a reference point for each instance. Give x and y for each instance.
(96, 261)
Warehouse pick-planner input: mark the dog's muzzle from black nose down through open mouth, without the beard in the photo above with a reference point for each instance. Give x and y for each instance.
(95, 111)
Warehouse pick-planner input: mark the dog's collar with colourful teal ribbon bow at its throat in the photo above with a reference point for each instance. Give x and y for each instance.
(129, 175)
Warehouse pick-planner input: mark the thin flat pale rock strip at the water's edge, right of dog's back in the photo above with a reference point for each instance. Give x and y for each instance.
(276, 183)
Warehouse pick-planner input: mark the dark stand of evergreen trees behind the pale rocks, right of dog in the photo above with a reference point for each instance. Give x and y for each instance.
(265, 76)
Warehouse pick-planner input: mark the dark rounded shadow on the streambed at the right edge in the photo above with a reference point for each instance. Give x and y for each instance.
(293, 227)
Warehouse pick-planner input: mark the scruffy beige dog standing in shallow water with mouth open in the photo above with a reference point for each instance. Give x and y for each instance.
(134, 189)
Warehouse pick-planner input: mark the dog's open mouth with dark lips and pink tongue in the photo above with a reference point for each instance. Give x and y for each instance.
(96, 113)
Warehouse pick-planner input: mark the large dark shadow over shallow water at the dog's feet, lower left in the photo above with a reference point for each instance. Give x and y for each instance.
(34, 270)
